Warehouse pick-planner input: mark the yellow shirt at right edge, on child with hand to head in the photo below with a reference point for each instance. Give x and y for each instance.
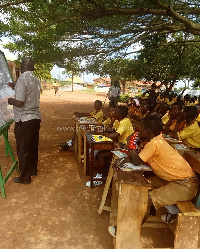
(190, 135)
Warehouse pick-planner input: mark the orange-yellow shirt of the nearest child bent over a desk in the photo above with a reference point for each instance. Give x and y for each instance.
(165, 161)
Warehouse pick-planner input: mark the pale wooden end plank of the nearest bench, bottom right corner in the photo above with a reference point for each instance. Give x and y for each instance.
(186, 233)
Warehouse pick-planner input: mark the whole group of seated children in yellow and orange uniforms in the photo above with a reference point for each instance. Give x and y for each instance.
(139, 132)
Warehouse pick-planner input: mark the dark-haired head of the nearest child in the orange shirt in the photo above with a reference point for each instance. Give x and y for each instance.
(151, 126)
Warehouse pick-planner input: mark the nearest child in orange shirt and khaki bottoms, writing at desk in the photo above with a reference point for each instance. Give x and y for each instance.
(174, 179)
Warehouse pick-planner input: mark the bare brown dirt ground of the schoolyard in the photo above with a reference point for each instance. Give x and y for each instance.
(57, 211)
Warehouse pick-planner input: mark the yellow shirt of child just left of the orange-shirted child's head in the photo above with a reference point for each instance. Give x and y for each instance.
(124, 128)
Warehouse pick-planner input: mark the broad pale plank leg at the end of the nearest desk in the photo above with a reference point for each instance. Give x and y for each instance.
(132, 206)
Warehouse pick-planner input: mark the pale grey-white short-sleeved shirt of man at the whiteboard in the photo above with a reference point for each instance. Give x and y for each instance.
(27, 89)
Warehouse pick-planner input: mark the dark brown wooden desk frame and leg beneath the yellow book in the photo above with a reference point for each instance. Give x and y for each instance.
(89, 143)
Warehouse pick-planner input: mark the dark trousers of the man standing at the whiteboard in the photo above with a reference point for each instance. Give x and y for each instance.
(27, 138)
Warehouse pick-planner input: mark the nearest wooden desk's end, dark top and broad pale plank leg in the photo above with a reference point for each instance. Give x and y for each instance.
(130, 198)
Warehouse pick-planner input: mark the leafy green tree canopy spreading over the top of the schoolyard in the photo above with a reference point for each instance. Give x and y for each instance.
(60, 31)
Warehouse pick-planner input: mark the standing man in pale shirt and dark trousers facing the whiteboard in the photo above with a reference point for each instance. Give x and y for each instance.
(27, 120)
